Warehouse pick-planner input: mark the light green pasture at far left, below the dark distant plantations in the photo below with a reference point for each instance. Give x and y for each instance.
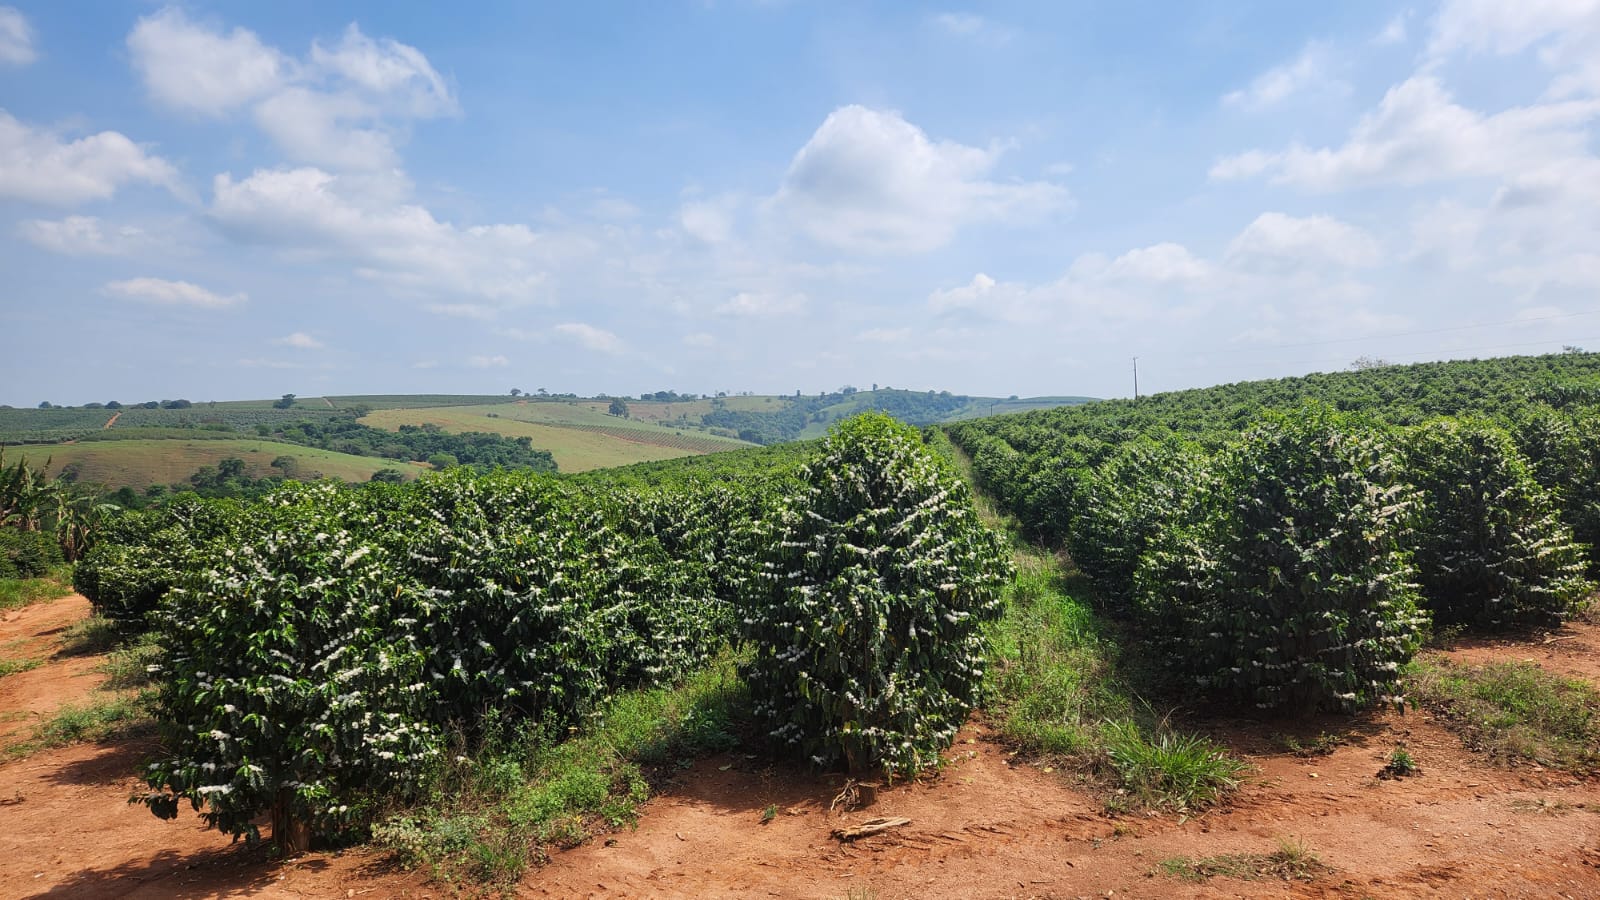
(140, 464)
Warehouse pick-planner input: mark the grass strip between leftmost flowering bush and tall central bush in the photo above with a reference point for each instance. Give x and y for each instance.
(492, 816)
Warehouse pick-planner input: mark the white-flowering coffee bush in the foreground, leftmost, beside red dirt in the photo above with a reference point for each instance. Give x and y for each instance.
(290, 678)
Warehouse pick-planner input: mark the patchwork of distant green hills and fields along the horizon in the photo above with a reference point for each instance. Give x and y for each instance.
(140, 446)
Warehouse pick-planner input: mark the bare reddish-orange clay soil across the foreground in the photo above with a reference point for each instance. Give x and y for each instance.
(983, 829)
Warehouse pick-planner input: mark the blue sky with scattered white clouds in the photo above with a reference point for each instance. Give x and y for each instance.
(220, 201)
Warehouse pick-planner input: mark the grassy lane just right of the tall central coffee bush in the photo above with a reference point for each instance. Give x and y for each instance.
(1055, 693)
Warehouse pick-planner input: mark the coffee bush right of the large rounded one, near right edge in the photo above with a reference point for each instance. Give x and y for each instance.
(1490, 548)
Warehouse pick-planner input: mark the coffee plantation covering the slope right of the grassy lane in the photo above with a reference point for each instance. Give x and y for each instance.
(1294, 561)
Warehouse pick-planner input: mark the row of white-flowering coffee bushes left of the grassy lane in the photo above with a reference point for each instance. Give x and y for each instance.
(324, 646)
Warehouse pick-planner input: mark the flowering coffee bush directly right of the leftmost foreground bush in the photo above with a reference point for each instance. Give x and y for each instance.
(543, 600)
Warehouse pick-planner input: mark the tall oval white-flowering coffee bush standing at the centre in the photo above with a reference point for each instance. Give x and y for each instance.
(874, 584)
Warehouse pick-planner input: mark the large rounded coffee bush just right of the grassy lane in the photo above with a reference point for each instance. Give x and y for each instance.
(1287, 584)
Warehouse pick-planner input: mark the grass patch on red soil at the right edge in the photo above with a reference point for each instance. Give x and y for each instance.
(1514, 712)
